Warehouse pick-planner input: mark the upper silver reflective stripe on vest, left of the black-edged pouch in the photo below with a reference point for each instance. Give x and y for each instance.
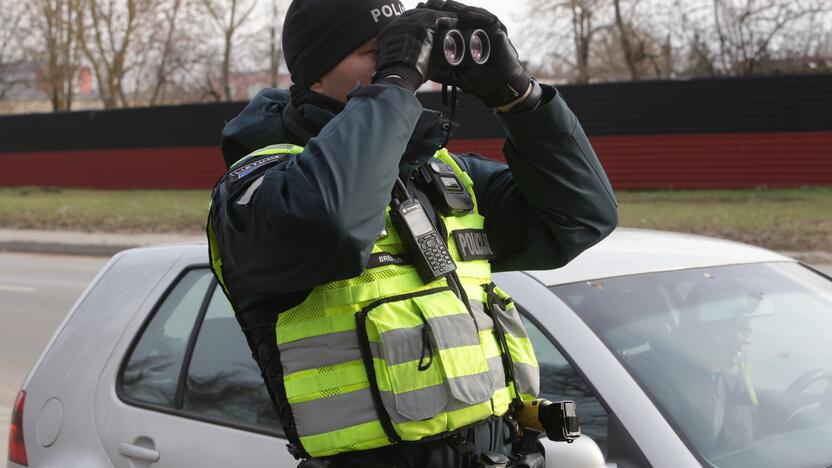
(319, 351)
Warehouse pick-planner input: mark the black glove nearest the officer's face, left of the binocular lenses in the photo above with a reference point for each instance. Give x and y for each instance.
(404, 45)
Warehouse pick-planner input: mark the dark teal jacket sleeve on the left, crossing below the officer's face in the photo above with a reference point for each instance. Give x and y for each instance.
(315, 217)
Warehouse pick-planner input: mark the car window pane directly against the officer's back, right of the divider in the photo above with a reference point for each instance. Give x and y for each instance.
(223, 381)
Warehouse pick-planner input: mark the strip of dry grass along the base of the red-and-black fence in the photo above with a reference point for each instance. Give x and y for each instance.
(795, 220)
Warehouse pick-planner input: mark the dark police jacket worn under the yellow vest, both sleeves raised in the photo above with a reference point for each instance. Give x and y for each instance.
(314, 217)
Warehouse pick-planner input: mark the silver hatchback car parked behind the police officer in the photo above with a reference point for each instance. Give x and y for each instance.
(679, 351)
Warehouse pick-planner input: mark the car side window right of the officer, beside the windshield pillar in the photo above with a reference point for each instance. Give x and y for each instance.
(560, 381)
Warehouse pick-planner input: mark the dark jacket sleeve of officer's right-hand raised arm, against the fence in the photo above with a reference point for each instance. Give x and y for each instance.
(553, 200)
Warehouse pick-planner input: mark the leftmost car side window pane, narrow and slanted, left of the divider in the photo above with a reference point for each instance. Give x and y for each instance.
(152, 371)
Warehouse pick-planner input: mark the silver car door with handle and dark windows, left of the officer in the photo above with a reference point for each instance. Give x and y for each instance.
(186, 391)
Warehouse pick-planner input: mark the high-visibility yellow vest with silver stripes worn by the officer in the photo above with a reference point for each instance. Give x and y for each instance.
(383, 357)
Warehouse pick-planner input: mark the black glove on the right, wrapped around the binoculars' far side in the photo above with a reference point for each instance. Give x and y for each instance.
(502, 79)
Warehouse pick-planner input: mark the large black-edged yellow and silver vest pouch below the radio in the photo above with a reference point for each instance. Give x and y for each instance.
(422, 355)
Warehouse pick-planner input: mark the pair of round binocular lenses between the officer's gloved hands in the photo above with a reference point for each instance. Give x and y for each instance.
(458, 48)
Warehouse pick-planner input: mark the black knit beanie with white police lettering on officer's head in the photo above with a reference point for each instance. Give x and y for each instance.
(317, 34)
